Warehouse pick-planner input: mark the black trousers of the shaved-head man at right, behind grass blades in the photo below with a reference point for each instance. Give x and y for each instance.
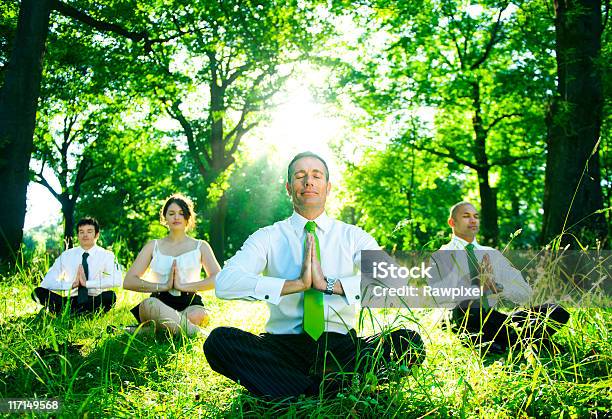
(486, 326)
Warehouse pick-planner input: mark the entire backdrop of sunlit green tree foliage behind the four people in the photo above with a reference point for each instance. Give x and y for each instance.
(213, 67)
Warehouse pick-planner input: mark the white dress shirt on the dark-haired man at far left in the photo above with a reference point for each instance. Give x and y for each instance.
(104, 271)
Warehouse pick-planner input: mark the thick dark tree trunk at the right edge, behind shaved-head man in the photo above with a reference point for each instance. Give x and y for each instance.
(574, 122)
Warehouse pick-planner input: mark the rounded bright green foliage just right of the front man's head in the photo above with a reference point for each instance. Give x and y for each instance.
(401, 196)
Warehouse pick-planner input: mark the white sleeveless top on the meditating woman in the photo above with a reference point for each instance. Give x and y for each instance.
(189, 265)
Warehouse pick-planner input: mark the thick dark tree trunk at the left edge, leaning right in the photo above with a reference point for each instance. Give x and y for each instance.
(18, 104)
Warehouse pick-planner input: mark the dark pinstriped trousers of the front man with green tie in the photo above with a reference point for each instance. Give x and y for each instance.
(280, 366)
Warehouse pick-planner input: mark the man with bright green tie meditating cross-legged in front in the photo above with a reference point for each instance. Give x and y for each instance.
(307, 269)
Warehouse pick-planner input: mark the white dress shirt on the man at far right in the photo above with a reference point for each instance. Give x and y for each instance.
(456, 272)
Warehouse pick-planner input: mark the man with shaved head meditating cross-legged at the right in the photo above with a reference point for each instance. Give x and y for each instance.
(465, 262)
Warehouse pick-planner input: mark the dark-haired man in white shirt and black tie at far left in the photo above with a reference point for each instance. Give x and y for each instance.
(85, 271)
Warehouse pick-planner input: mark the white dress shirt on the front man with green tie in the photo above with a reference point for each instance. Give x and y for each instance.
(275, 253)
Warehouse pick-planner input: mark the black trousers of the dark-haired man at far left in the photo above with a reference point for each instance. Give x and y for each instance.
(55, 303)
